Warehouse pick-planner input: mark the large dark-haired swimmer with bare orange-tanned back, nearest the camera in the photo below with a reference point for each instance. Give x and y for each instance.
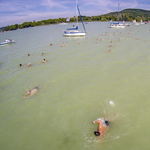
(102, 127)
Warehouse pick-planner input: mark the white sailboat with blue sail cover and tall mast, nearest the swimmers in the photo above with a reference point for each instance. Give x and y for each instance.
(74, 32)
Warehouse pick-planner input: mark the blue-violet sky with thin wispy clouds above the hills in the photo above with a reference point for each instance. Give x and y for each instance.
(19, 11)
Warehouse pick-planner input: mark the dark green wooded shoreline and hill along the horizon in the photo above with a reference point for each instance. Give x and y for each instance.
(125, 15)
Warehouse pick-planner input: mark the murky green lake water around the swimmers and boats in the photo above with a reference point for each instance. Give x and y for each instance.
(81, 82)
